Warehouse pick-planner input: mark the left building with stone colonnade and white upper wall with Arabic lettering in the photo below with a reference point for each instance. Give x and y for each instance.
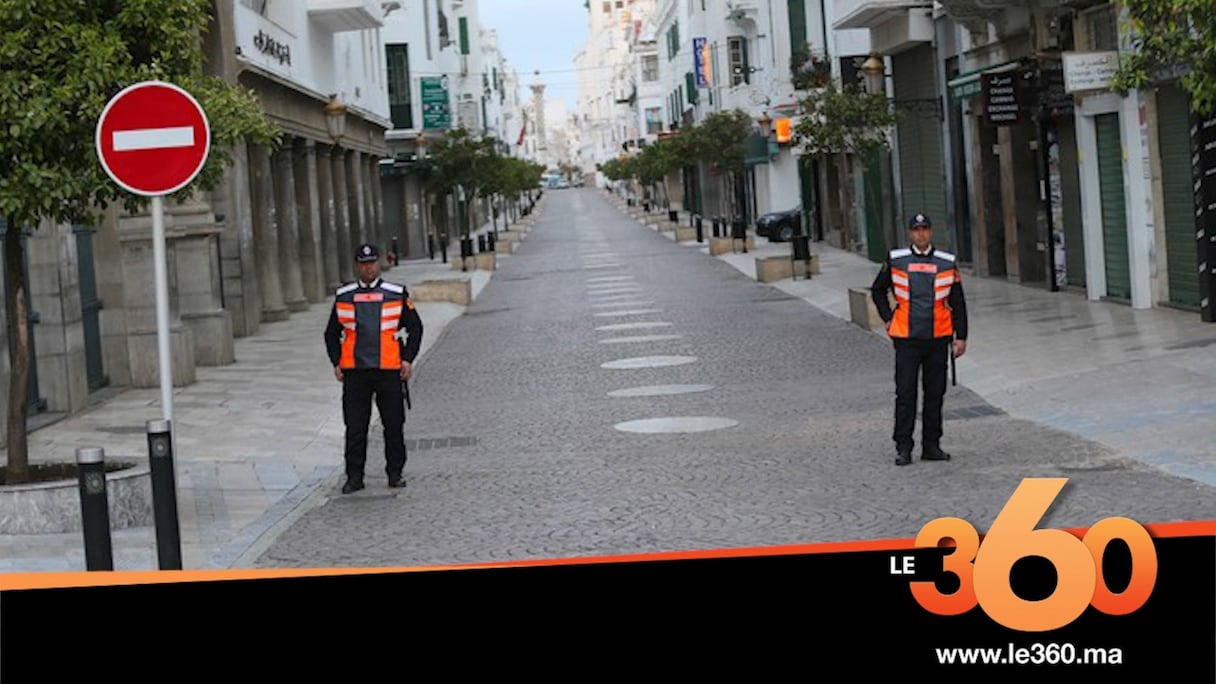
(272, 242)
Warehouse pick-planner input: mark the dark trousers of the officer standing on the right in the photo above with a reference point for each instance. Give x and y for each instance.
(926, 361)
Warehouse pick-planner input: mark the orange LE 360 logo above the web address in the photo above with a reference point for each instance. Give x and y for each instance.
(984, 569)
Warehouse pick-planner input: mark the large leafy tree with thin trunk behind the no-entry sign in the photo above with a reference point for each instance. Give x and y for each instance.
(61, 61)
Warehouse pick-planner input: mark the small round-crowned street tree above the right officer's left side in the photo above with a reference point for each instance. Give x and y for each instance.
(846, 124)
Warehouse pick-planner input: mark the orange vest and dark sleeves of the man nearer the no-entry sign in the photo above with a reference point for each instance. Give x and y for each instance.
(373, 328)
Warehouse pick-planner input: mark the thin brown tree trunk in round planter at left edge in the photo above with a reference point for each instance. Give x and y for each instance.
(18, 470)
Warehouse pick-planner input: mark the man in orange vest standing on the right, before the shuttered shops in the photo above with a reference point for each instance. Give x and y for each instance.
(928, 324)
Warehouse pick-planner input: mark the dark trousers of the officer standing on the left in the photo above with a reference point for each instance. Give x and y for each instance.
(359, 388)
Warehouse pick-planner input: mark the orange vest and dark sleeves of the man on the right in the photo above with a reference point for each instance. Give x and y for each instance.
(928, 293)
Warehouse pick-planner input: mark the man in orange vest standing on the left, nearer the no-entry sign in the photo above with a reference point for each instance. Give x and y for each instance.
(373, 339)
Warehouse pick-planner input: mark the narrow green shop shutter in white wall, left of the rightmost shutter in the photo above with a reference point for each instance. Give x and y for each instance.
(1114, 215)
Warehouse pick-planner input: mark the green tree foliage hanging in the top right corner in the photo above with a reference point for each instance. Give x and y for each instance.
(1172, 37)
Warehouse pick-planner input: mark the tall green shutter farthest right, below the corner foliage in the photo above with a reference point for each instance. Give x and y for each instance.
(1179, 201)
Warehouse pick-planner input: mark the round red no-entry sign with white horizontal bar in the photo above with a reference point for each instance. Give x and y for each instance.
(153, 138)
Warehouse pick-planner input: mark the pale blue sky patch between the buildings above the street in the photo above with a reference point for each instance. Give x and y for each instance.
(541, 36)
